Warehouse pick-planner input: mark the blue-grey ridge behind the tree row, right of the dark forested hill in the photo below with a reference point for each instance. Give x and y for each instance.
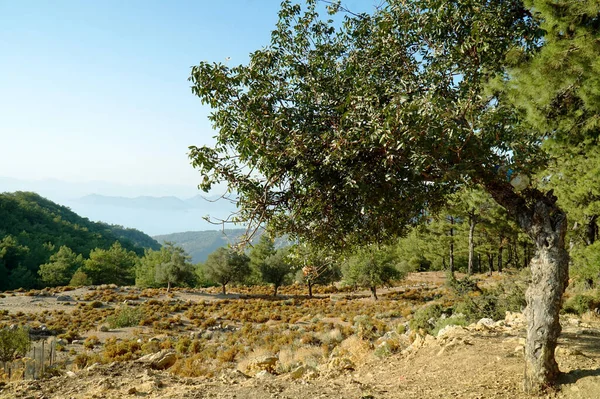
(199, 244)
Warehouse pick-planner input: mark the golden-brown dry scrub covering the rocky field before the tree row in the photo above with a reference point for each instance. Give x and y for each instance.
(248, 331)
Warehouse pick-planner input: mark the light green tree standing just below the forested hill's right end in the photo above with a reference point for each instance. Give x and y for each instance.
(175, 267)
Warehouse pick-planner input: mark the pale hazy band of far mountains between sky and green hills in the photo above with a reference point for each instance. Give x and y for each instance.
(155, 210)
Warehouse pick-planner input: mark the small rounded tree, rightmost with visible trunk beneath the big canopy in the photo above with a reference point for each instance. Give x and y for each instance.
(371, 267)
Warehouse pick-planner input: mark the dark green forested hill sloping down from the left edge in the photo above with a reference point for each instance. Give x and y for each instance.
(32, 228)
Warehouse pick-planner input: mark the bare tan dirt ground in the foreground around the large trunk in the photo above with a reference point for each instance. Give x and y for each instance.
(477, 362)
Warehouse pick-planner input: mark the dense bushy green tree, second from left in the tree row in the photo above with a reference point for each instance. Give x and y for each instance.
(115, 265)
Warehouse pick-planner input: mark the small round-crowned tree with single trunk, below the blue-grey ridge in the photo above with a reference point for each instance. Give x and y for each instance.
(225, 266)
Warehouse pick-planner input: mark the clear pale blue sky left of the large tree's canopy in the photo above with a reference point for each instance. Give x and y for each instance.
(98, 90)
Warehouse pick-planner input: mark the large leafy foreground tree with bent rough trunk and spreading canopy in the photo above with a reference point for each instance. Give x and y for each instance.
(352, 134)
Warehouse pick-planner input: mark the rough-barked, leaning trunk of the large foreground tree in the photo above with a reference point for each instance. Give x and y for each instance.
(546, 224)
